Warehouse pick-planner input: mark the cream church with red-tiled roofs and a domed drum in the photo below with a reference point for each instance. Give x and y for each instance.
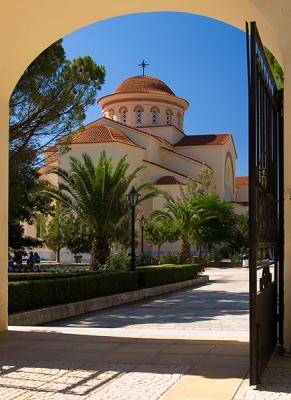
(143, 118)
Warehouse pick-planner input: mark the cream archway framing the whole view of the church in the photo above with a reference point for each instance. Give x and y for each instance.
(32, 26)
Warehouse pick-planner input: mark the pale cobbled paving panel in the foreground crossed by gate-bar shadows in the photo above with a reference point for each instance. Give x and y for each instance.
(86, 380)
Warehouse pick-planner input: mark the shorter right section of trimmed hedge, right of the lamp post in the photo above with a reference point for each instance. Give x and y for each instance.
(164, 274)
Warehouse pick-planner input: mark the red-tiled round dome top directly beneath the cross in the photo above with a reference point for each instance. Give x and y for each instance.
(143, 84)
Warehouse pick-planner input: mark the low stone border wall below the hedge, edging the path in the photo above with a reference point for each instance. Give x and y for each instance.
(46, 315)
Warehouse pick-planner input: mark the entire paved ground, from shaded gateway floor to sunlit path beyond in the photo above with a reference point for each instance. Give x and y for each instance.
(191, 344)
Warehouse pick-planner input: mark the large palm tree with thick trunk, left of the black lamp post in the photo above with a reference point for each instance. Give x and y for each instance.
(97, 196)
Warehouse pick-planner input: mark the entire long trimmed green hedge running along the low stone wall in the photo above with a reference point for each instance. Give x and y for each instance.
(32, 294)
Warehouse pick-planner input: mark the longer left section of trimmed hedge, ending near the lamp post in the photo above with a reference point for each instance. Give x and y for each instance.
(31, 294)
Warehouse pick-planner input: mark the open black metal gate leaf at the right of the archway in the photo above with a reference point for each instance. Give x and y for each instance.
(266, 207)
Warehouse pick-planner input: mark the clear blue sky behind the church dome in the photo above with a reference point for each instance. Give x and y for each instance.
(202, 60)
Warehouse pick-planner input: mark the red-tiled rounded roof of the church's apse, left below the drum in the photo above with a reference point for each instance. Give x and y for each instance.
(100, 134)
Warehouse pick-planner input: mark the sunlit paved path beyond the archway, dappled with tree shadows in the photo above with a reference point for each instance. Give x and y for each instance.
(218, 309)
